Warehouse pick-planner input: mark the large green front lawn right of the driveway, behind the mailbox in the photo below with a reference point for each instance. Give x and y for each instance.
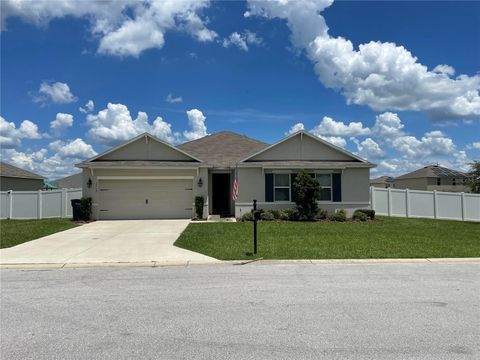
(385, 238)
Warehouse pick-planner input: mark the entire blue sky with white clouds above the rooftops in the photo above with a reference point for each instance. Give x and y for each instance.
(363, 75)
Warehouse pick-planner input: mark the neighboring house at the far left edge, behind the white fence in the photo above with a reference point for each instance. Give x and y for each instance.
(14, 178)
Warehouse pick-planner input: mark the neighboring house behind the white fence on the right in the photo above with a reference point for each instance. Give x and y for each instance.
(433, 177)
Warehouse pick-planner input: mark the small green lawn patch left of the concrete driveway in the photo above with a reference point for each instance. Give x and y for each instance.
(14, 232)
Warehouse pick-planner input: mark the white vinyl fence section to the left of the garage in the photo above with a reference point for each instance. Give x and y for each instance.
(37, 204)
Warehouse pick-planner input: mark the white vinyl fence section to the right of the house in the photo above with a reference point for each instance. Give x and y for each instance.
(425, 204)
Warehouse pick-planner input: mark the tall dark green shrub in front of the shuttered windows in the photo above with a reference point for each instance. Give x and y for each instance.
(307, 192)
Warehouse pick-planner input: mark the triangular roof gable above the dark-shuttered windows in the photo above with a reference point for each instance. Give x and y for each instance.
(303, 146)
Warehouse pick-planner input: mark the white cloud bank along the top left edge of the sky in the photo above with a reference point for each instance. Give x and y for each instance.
(124, 28)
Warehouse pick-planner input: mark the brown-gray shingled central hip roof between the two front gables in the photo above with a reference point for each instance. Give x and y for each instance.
(224, 148)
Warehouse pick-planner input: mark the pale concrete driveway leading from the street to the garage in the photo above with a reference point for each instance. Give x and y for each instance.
(131, 241)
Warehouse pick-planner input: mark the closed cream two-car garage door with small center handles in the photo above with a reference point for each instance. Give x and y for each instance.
(145, 199)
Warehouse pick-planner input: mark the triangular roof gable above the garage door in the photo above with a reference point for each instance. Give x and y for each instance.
(144, 147)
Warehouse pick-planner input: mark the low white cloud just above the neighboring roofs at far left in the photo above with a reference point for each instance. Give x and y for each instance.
(53, 162)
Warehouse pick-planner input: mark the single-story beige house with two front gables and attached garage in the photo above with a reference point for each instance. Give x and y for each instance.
(148, 178)
